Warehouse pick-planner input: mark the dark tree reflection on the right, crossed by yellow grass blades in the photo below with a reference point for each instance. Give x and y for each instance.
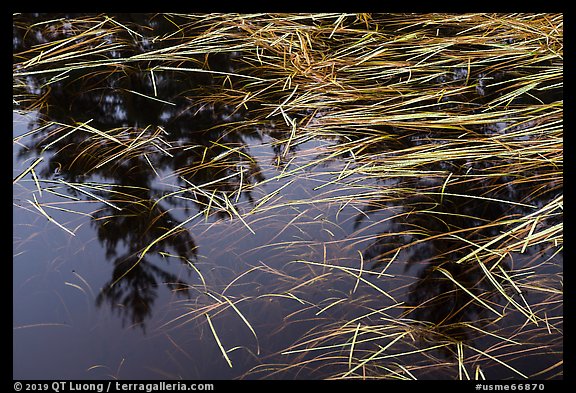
(436, 227)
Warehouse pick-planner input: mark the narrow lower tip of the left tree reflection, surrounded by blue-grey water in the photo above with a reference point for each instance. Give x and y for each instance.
(137, 222)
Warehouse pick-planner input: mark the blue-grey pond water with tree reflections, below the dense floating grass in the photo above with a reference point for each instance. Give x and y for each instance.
(93, 306)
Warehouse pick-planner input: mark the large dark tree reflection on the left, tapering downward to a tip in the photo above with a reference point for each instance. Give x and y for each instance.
(145, 137)
